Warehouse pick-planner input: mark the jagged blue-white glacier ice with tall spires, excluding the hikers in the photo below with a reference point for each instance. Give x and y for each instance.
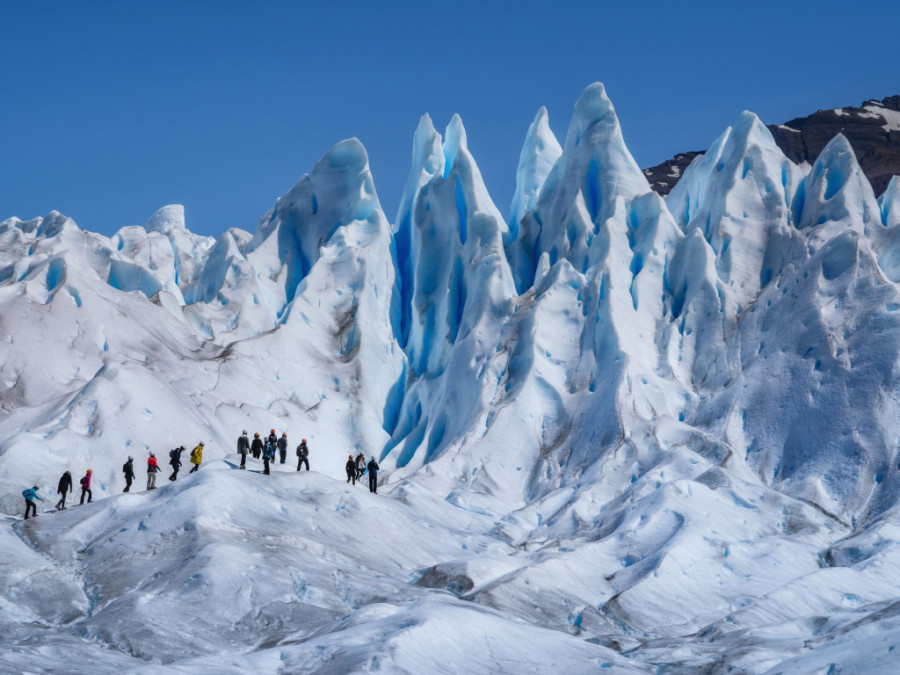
(617, 433)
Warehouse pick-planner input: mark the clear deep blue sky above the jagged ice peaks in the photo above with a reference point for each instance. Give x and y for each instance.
(110, 110)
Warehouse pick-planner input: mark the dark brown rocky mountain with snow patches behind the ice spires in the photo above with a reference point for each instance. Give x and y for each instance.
(873, 130)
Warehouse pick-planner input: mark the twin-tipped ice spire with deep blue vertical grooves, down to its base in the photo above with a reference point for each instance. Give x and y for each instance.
(459, 286)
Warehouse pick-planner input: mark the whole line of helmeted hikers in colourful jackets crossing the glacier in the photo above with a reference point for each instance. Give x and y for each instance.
(273, 447)
